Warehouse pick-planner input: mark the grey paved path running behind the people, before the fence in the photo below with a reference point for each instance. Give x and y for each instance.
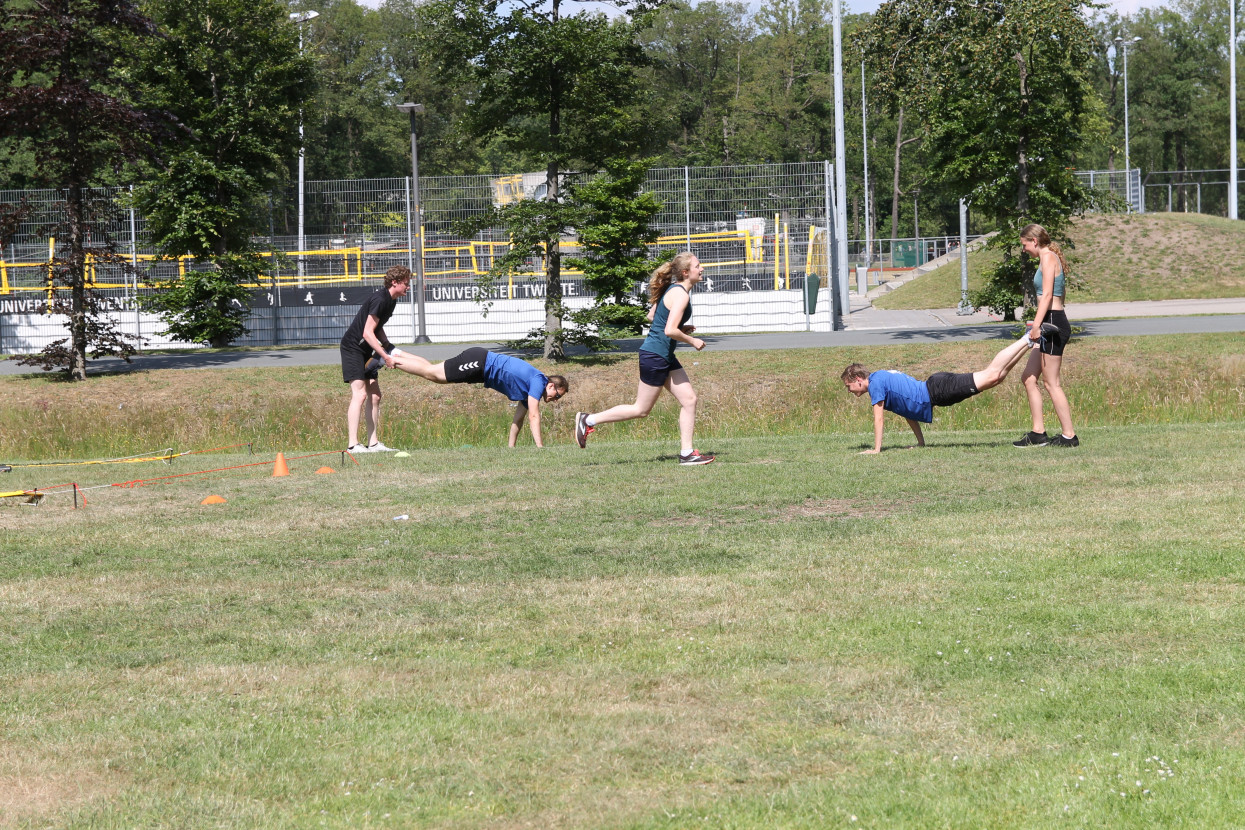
(866, 327)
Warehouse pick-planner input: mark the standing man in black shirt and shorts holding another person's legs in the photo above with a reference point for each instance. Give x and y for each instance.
(364, 339)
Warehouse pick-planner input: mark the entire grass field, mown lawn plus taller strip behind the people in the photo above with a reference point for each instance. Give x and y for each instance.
(796, 636)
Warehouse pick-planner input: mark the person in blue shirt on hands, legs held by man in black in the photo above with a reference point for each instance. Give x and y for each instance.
(516, 379)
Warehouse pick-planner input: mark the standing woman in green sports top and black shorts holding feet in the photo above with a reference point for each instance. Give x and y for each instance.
(1050, 334)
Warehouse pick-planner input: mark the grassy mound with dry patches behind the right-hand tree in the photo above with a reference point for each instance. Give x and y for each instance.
(1116, 258)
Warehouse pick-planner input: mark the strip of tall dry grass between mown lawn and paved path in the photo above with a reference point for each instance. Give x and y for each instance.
(1112, 381)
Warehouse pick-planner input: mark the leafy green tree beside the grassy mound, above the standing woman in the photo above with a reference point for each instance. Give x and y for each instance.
(1002, 90)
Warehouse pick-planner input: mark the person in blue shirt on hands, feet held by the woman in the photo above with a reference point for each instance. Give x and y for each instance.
(914, 401)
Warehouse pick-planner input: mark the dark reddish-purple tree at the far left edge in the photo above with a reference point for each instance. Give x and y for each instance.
(67, 88)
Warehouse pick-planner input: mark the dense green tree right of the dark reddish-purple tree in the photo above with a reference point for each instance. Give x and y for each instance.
(232, 72)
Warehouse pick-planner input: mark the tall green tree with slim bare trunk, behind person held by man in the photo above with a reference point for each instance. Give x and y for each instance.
(561, 90)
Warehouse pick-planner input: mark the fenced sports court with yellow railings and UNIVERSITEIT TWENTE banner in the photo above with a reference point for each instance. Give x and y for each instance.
(760, 231)
